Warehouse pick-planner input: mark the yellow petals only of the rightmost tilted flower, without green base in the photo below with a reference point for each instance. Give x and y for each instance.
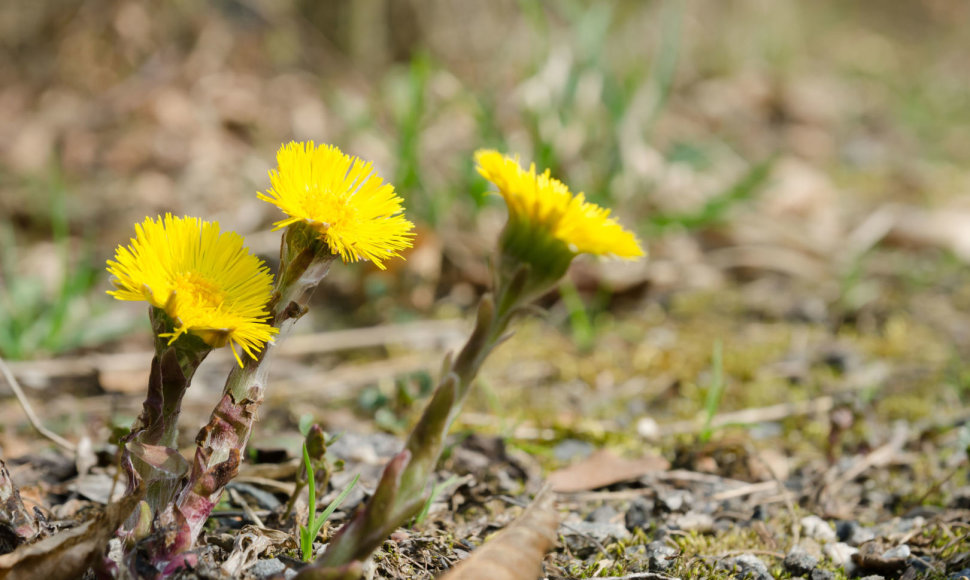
(541, 202)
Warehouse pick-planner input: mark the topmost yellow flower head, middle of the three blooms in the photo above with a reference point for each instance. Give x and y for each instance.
(340, 197)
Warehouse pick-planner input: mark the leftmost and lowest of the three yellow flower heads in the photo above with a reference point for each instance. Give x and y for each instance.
(207, 282)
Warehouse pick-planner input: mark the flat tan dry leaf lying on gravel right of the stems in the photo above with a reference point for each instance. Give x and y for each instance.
(603, 468)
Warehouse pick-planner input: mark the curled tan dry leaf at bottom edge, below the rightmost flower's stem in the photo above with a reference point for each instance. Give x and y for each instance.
(516, 553)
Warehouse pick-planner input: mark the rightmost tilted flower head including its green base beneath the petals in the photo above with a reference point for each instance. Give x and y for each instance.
(547, 223)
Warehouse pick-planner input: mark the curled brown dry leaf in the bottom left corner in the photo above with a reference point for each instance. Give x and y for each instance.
(71, 552)
